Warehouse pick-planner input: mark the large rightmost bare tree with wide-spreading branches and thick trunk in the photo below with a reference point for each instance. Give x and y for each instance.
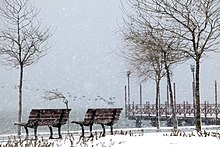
(195, 23)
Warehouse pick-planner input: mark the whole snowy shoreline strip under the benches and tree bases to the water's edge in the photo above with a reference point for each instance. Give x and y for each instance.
(140, 137)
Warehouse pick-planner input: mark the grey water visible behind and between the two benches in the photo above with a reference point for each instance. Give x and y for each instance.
(8, 118)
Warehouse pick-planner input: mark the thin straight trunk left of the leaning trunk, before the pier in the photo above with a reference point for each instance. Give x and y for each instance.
(157, 104)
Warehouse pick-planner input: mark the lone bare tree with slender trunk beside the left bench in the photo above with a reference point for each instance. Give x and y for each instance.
(23, 41)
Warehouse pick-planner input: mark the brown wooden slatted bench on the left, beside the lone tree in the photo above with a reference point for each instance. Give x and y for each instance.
(46, 117)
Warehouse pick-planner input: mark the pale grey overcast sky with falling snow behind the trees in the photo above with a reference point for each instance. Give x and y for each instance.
(81, 60)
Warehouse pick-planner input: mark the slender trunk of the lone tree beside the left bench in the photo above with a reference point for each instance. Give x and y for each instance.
(20, 98)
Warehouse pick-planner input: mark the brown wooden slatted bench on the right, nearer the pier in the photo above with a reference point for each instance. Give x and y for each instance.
(102, 116)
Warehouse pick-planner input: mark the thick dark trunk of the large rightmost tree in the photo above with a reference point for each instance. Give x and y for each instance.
(198, 117)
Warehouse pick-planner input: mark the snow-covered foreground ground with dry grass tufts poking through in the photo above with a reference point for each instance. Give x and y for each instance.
(132, 139)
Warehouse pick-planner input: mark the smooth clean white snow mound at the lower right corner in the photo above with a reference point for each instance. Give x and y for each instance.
(156, 140)
